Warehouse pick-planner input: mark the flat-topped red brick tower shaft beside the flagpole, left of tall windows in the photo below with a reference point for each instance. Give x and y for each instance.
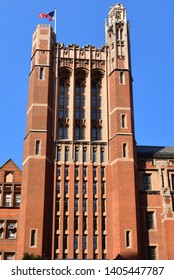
(37, 173)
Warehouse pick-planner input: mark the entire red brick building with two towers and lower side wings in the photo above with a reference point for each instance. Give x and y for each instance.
(88, 191)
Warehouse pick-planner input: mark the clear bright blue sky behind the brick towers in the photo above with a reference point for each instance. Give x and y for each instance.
(82, 22)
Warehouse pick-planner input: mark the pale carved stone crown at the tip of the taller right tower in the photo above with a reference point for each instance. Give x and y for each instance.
(117, 13)
